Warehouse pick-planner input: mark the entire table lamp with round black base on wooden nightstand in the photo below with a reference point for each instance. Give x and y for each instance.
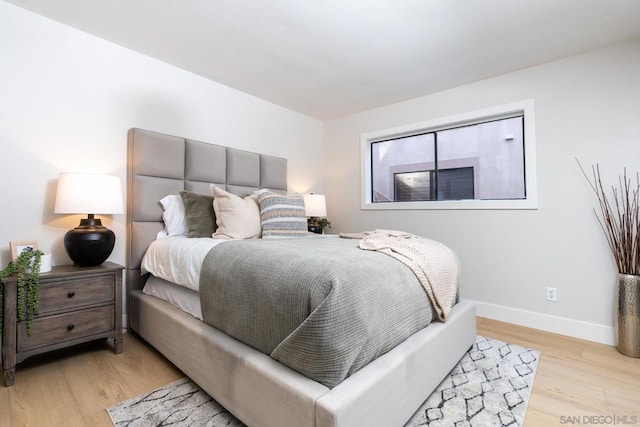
(90, 243)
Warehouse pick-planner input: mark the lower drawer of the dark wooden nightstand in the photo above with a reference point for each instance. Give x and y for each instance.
(60, 328)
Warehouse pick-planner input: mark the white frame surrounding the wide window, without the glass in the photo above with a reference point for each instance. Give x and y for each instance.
(526, 107)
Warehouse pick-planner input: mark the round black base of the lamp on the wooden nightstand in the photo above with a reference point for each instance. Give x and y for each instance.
(90, 243)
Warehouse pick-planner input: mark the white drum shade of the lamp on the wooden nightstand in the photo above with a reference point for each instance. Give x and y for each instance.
(83, 193)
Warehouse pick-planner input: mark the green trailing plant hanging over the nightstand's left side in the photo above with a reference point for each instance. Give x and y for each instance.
(26, 267)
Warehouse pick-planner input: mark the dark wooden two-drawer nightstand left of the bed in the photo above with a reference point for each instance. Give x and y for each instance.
(77, 304)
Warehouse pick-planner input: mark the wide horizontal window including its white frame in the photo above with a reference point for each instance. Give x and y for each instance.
(481, 160)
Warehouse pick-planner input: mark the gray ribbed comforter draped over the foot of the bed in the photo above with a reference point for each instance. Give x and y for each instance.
(319, 305)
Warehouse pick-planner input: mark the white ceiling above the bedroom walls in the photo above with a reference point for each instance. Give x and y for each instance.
(330, 58)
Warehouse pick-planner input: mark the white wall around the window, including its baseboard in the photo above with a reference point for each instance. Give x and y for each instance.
(587, 107)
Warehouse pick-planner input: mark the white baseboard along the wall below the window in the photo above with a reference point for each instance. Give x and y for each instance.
(558, 325)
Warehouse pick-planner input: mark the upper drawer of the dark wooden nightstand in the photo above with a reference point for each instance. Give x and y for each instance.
(72, 293)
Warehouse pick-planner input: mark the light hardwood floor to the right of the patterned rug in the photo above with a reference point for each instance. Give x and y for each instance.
(575, 378)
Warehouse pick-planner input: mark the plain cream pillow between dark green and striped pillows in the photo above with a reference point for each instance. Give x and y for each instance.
(236, 217)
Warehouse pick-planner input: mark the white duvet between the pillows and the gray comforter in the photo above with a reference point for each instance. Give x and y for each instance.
(178, 259)
